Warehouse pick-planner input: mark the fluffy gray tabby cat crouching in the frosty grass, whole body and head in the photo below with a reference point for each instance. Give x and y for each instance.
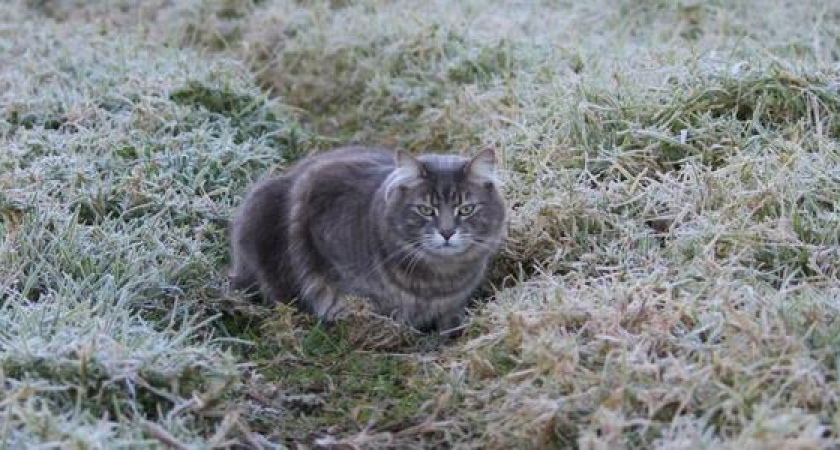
(414, 235)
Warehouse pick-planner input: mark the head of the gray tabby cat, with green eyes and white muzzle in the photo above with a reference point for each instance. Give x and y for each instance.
(445, 206)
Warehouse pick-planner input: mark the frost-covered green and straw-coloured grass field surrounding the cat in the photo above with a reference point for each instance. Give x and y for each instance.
(671, 278)
